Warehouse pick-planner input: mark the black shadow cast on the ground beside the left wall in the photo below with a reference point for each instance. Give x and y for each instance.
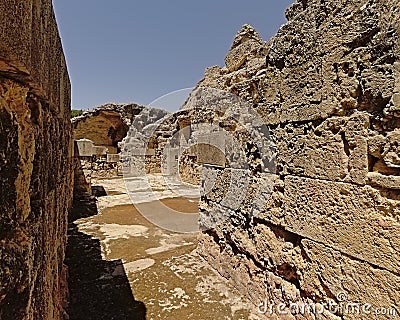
(99, 289)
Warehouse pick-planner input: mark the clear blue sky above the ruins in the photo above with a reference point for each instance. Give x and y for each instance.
(136, 51)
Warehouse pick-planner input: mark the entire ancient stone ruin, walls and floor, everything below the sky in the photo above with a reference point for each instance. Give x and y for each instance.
(293, 147)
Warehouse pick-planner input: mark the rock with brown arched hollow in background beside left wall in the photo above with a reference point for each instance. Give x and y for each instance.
(106, 125)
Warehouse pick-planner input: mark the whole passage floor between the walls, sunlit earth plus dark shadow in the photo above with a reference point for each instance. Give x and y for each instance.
(121, 266)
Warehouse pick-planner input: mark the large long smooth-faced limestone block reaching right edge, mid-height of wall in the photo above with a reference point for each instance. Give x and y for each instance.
(355, 220)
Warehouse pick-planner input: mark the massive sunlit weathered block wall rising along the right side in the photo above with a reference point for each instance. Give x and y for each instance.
(326, 226)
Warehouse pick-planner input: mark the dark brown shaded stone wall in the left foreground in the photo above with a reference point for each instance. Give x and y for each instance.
(35, 162)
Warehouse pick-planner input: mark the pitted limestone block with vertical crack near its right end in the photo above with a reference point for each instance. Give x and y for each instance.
(335, 150)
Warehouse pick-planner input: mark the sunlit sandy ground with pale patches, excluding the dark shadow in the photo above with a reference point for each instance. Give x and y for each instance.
(162, 266)
